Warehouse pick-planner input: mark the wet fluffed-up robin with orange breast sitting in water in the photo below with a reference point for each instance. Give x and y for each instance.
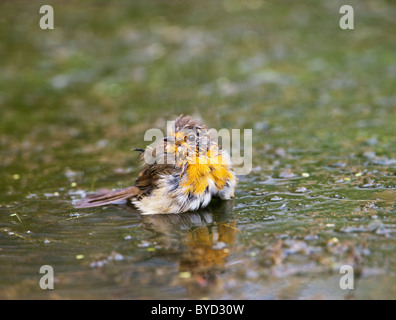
(186, 169)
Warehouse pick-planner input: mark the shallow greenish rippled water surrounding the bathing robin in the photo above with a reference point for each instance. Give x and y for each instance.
(320, 101)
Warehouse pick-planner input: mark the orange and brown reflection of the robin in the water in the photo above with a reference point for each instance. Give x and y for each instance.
(199, 241)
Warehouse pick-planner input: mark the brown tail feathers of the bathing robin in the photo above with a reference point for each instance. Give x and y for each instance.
(110, 197)
